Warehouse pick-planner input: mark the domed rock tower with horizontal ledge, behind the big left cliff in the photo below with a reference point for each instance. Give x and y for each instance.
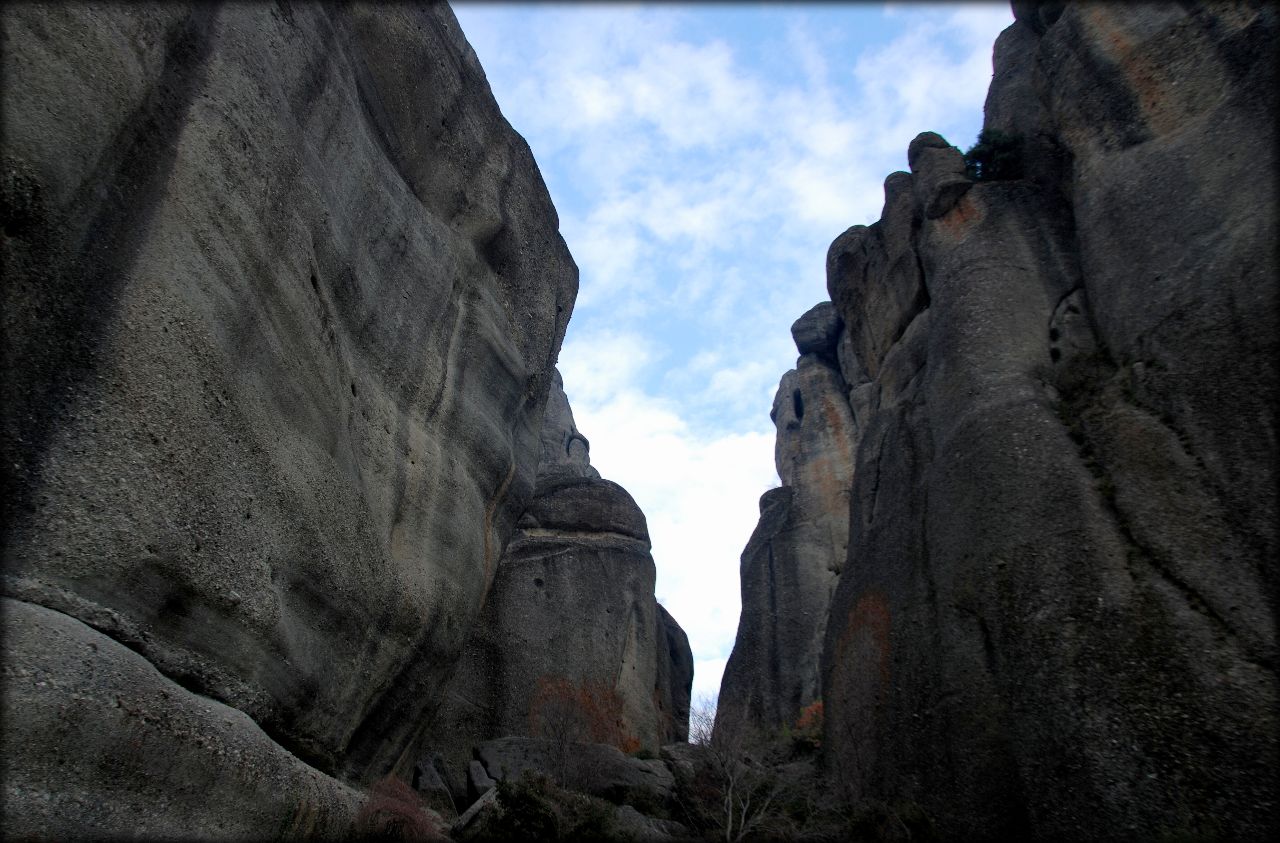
(572, 643)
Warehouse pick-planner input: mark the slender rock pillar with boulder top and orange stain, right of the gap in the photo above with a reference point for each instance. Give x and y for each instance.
(790, 563)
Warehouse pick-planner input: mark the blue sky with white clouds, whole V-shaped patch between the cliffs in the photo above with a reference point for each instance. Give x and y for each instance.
(702, 159)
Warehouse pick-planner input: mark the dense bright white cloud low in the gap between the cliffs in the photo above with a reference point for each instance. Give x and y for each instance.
(700, 489)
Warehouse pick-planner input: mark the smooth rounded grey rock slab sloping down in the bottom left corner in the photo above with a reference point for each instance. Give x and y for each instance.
(109, 748)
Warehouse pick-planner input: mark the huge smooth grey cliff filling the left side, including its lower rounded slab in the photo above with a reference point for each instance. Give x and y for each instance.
(284, 297)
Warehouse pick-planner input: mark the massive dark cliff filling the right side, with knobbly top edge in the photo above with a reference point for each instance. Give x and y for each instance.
(1058, 617)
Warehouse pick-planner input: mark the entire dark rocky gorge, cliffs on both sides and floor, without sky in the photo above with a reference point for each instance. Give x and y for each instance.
(296, 510)
